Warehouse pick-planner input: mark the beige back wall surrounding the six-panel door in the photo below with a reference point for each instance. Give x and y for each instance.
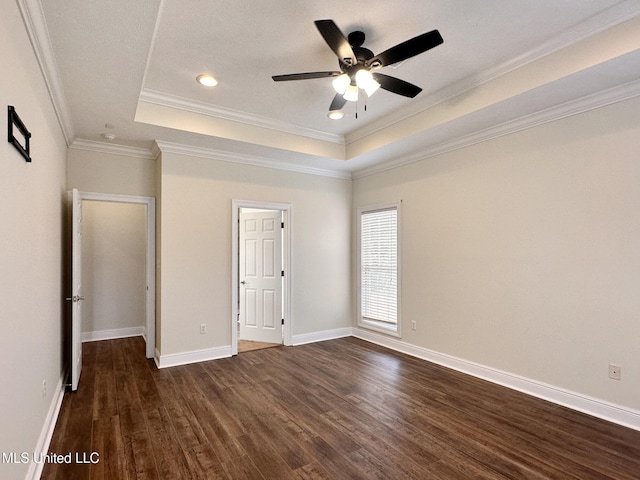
(195, 251)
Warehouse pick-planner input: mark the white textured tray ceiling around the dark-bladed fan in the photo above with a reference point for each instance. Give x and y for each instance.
(129, 68)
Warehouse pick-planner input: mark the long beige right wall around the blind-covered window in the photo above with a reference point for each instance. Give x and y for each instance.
(523, 253)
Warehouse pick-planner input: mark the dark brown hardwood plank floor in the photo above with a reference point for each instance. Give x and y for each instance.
(341, 409)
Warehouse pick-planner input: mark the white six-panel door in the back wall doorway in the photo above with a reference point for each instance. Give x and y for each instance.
(260, 276)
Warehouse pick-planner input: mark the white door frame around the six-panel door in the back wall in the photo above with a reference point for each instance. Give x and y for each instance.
(236, 205)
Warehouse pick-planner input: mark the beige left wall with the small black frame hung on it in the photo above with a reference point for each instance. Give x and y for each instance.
(32, 196)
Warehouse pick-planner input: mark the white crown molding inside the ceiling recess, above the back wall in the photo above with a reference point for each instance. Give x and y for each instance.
(172, 101)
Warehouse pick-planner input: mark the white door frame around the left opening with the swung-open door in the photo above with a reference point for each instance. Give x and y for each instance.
(150, 306)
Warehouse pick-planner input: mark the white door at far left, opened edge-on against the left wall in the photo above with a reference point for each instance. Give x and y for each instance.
(76, 290)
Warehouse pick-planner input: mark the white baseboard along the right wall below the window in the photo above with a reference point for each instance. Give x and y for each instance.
(591, 406)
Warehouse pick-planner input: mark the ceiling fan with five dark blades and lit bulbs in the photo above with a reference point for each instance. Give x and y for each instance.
(358, 65)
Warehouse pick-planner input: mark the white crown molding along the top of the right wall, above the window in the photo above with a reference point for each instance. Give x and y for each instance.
(558, 112)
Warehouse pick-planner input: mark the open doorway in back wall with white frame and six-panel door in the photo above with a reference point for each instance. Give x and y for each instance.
(260, 275)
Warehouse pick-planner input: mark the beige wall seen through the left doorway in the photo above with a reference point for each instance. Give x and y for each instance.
(114, 239)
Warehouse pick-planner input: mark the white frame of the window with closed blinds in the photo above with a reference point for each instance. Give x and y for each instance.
(380, 326)
